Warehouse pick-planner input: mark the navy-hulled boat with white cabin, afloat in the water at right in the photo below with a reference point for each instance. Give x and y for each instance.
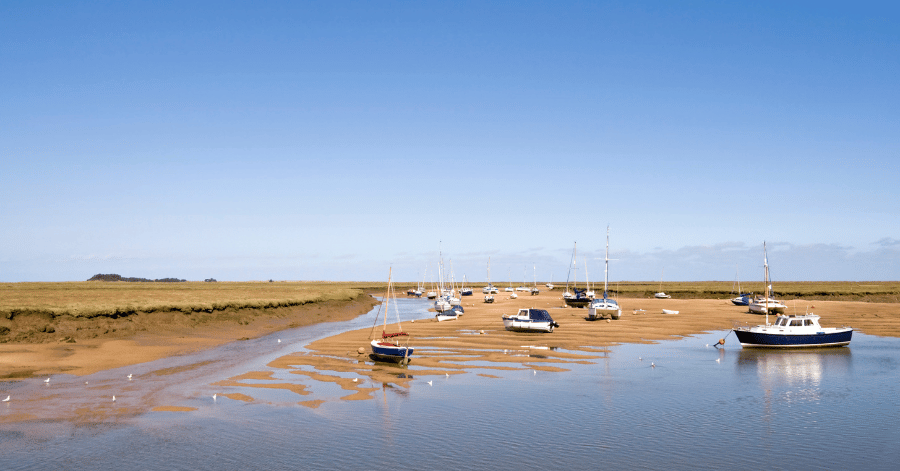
(791, 331)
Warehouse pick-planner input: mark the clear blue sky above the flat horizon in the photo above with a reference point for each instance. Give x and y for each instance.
(331, 140)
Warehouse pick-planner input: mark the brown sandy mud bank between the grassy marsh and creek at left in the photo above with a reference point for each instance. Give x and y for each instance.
(145, 337)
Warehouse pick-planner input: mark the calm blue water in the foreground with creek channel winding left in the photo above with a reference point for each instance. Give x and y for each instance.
(822, 409)
